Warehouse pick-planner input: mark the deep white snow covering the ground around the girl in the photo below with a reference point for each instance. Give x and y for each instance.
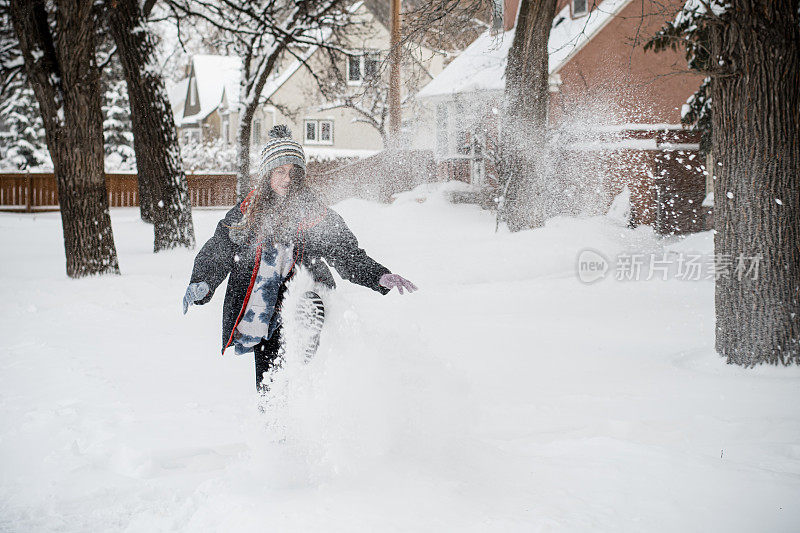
(505, 395)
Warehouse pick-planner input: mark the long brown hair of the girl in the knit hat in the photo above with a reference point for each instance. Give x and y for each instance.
(271, 217)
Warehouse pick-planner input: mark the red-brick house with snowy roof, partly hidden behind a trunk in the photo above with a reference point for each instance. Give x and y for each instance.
(596, 56)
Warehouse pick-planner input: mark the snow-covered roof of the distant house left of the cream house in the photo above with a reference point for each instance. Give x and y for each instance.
(215, 76)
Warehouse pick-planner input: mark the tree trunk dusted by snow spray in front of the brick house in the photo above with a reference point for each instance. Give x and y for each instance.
(525, 119)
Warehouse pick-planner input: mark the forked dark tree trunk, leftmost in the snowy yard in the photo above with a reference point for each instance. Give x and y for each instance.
(66, 81)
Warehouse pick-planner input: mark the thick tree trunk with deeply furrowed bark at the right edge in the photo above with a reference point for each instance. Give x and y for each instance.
(756, 143)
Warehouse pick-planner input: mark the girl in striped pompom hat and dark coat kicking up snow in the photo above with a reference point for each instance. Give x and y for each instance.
(263, 241)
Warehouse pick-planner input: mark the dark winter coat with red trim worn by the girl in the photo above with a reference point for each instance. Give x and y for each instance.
(325, 237)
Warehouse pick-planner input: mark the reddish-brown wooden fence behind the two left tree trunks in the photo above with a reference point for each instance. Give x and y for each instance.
(36, 191)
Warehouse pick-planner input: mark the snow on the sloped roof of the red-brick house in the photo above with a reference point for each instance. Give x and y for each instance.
(481, 67)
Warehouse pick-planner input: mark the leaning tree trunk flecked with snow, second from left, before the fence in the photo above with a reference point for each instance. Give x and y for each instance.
(155, 139)
